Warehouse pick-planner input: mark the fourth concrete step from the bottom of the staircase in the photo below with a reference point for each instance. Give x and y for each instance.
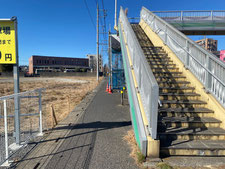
(187, 112)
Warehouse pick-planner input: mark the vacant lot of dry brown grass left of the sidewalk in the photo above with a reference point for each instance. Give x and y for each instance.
(61, 93)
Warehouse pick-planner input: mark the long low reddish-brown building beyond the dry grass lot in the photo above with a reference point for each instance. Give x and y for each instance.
(49, 63)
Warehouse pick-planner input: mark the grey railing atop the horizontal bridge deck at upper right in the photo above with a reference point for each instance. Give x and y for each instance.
(191, 15)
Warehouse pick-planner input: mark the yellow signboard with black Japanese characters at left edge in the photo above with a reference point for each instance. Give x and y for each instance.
(7, 42)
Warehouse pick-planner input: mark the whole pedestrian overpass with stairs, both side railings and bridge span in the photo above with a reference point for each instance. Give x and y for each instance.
(176, 89)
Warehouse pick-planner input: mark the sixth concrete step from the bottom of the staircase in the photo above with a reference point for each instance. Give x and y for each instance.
(179, 96)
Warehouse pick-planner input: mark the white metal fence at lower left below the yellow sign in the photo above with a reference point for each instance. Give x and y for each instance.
(7, 113)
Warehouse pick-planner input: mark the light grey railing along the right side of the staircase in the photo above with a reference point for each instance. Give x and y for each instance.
(204, 65)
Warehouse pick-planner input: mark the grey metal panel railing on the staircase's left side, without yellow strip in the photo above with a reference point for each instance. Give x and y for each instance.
(143, 77)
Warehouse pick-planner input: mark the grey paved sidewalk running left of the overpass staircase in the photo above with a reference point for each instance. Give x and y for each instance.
(92, 141)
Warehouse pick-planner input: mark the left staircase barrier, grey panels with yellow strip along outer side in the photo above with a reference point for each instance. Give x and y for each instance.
(144, 90)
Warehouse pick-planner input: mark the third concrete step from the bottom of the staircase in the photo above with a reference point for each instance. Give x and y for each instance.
(190, 122)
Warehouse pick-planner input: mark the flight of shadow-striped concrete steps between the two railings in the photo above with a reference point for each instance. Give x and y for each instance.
(185, 125)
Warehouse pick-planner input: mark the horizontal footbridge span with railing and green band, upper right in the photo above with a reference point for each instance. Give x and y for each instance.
(195, 22)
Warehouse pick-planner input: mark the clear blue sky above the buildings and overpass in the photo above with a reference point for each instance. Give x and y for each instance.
(67, 28)
